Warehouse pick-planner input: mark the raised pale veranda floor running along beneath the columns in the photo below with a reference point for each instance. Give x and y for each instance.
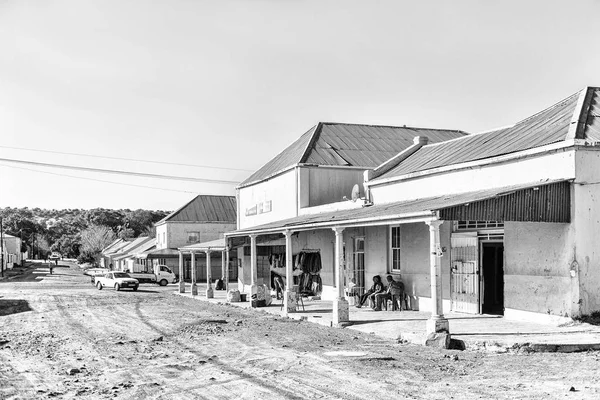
(476, 331)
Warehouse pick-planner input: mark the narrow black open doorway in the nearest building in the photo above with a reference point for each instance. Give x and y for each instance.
(492, 282)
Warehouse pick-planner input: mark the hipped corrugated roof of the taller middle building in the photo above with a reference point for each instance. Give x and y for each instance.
(336, 144)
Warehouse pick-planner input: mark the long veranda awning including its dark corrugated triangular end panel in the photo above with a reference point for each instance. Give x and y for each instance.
(543, 201)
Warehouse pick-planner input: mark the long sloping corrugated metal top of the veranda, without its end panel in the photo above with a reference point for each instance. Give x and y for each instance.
(394, 211)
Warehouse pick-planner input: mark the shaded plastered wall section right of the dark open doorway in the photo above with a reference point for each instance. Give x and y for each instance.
(537, 260)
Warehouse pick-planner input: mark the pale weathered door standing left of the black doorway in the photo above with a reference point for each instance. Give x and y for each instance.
(464, 276)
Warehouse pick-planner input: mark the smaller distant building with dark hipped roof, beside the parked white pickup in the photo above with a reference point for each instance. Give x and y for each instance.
(204, 218)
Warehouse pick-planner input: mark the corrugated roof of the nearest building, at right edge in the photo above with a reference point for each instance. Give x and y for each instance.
(577, 116)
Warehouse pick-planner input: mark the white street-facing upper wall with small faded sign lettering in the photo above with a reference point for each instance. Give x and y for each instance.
(280, 190)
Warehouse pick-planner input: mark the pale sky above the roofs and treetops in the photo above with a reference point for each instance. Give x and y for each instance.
(230, 83)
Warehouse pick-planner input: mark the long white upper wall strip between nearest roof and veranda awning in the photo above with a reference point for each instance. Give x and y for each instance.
(560, 165)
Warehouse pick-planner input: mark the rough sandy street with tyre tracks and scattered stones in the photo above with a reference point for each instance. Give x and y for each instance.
(62, 338)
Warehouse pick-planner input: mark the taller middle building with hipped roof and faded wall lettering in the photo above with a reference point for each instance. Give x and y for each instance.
(321, 172)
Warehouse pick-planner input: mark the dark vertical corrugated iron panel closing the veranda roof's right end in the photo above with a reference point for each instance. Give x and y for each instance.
(547, 203)
